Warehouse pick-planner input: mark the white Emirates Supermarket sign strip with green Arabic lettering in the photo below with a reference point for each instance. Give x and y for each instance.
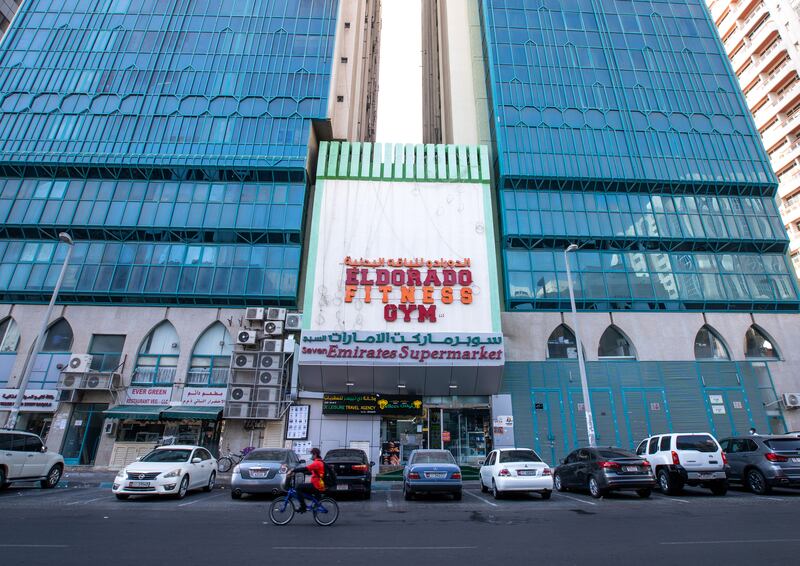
(398, 348)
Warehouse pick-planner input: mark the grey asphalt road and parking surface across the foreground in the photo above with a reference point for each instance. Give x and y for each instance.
(87, 525)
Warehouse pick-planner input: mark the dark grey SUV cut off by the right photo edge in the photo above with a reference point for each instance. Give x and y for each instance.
(763, 462)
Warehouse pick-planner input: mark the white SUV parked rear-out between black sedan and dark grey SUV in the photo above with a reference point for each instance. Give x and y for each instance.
(679, 459)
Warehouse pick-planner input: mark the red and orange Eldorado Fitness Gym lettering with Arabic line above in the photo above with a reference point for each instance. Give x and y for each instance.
(410, 289)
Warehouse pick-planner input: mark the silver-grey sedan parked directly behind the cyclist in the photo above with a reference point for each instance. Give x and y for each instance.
(263, 471)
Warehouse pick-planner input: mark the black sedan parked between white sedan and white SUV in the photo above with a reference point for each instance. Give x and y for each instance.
(601, 470)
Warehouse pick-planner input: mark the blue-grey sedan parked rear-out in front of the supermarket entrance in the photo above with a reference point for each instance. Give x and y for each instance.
(431, 471)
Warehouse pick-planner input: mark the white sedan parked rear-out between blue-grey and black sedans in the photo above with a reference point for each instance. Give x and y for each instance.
(515, 469)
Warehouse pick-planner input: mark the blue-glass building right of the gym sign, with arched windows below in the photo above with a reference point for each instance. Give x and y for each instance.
(619, 126)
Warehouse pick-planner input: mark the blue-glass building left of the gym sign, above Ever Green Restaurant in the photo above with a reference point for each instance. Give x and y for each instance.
(176, 146)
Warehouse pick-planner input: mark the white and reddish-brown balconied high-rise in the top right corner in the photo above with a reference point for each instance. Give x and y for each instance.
(762, 40)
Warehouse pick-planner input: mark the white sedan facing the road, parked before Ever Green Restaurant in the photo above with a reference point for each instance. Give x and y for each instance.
(167, 470)
